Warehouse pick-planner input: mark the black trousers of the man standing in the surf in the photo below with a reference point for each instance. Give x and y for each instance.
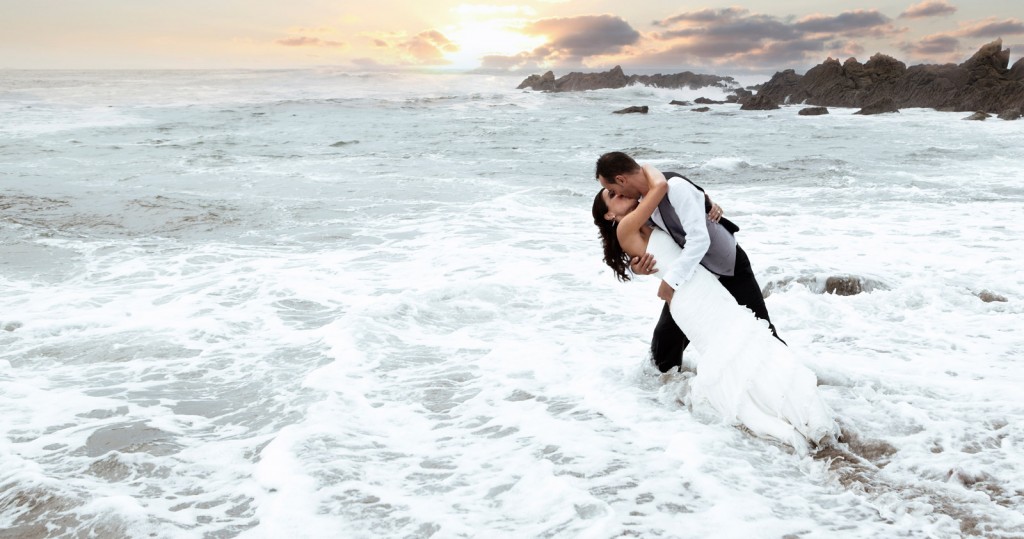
(669, 342)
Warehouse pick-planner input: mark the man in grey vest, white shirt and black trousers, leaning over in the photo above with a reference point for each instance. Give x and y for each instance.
(710, 243)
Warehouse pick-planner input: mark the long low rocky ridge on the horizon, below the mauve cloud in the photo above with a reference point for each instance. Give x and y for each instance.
(616, 78)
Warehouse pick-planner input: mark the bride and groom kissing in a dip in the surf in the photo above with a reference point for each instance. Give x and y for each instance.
(712, 302)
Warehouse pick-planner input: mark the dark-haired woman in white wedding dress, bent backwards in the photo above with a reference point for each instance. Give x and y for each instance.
(744, 372)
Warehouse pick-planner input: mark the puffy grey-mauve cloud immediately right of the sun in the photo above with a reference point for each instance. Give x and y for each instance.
(583, 36)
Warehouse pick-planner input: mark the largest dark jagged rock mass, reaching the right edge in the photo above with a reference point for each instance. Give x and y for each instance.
(984, 82)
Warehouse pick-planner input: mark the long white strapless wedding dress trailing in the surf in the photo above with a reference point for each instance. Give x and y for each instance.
(744, 372)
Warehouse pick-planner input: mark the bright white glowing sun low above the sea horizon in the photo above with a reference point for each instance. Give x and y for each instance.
(483, 38)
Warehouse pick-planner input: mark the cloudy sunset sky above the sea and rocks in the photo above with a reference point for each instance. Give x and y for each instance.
(525, 36)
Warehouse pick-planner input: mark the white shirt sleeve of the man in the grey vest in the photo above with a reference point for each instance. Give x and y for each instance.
(690, 204)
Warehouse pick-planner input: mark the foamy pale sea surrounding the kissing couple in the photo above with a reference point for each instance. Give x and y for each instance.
(318, 304)
